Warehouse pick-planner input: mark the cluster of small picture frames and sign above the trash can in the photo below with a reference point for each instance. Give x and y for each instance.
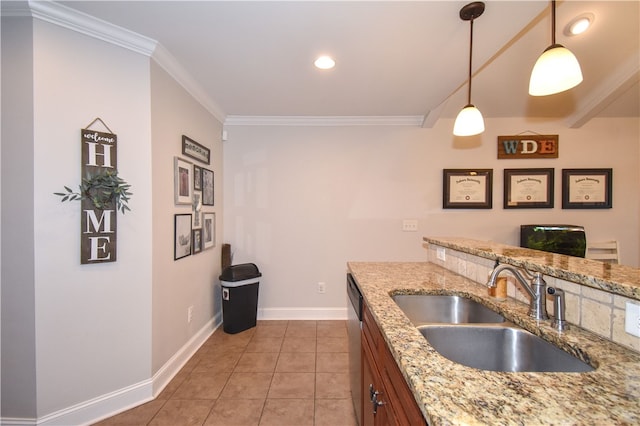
(193, 186)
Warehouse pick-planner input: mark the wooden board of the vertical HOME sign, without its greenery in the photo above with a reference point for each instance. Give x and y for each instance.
(98, 222)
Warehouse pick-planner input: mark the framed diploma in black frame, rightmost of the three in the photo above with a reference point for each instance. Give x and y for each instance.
(586, 188)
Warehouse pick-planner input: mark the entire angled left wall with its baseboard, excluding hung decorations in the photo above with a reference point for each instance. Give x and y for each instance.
(83, 341)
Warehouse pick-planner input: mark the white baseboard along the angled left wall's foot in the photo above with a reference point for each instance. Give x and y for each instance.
(110, 404)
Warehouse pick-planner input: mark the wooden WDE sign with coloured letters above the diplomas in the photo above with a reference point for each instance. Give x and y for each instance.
(528, 146)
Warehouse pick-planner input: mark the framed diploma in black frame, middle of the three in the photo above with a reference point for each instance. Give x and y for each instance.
(528, 188)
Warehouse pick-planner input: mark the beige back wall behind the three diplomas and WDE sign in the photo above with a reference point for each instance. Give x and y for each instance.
(302, 201)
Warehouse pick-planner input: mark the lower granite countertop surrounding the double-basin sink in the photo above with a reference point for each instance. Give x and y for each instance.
(452, 394)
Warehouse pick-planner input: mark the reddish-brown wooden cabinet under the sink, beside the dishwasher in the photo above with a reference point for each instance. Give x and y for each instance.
(387, 400)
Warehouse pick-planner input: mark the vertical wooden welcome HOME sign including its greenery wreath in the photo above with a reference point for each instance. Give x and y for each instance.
(101, 194)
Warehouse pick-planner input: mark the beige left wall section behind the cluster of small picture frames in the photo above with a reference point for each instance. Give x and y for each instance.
(193, 280)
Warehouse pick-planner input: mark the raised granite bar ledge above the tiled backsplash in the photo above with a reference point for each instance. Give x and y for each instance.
(618, 279)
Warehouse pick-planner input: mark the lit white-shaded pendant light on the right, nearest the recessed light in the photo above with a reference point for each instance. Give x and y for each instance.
(557, 69)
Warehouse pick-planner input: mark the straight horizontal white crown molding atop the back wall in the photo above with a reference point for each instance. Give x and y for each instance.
(253, 120)
